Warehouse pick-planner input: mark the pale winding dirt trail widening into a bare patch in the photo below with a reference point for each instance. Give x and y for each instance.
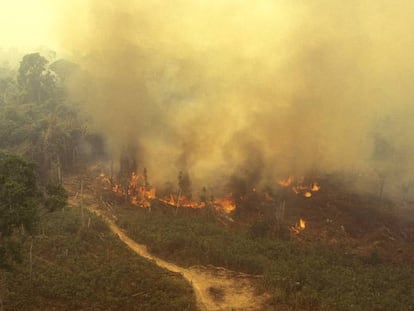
(215, 288)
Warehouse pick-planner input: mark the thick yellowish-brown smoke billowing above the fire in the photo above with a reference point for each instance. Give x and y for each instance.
(257, 89)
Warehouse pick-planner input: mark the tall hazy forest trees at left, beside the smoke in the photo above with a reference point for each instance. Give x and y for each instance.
(39, 121)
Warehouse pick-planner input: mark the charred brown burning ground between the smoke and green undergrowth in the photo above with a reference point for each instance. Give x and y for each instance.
(326, 210)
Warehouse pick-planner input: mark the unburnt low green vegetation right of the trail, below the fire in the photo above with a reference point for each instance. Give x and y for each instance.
(304, 276)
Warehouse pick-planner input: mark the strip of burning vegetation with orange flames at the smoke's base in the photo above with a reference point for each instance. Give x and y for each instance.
(240, 200)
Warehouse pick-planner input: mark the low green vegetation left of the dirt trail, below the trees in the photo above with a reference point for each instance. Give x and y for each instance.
(89, 269)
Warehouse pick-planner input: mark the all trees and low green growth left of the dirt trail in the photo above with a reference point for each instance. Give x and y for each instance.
(48, 261)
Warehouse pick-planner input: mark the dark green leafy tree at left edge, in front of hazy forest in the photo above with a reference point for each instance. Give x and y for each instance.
(19, 201)
